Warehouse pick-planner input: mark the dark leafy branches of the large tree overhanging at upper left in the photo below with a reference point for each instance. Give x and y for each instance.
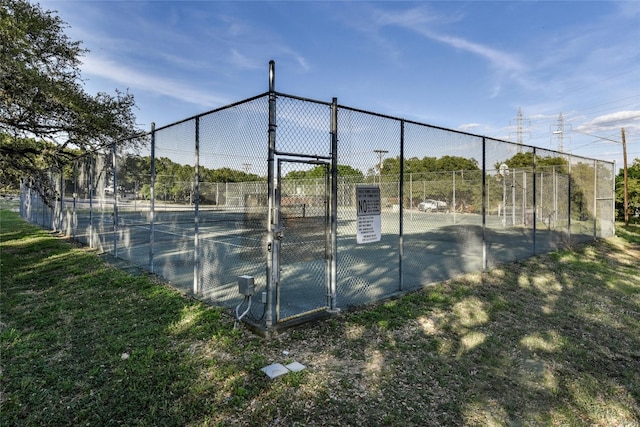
(45, 113)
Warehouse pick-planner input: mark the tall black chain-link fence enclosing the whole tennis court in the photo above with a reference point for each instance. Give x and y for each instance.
(267, 188)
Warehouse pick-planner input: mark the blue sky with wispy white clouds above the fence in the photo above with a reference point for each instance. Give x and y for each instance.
(466, 65)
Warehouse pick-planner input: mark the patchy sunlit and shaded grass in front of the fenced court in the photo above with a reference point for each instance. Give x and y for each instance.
(553, 340)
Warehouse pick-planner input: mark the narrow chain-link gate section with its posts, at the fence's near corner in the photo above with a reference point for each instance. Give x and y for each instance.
(302, 216)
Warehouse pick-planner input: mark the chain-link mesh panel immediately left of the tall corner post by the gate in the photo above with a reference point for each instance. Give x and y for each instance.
(233, 215)
